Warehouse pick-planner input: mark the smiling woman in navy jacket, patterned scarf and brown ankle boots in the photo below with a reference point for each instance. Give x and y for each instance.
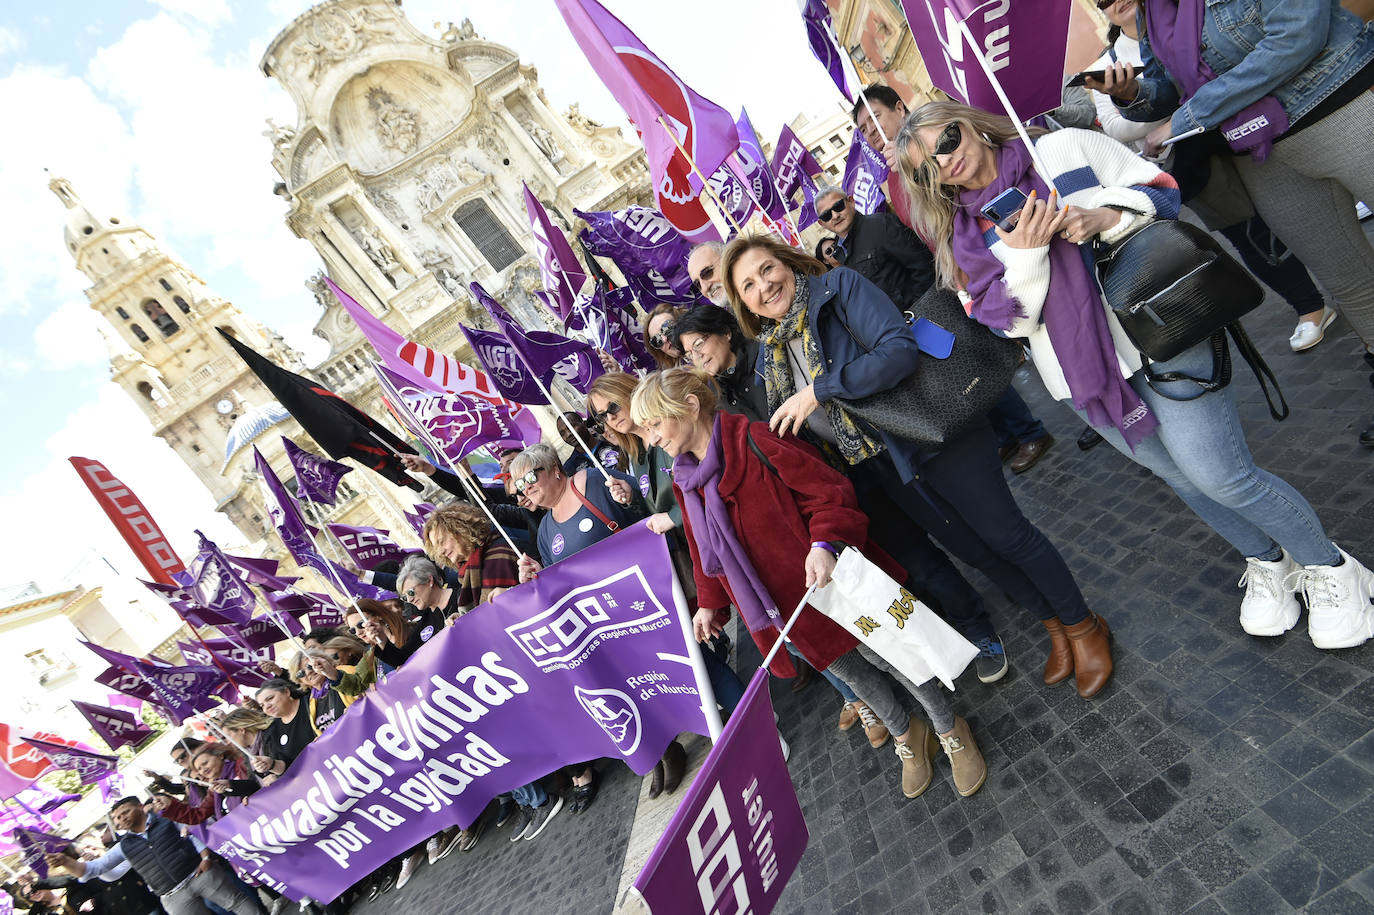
(836, 337)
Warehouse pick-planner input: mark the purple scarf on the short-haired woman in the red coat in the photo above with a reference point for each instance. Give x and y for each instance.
(718, 546)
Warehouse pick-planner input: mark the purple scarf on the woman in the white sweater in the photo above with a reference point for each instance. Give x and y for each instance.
(1074, 311)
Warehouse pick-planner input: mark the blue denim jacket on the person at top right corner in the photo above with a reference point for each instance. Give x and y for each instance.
(1299, 52)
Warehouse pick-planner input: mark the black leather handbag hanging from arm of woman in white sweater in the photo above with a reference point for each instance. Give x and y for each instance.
(1171, 286)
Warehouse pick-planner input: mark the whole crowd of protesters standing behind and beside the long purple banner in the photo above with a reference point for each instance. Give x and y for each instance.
(747, 454)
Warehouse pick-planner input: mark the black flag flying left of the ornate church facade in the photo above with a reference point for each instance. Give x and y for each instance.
(339, 427)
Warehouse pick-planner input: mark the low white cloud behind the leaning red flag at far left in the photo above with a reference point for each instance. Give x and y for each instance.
(52, 519)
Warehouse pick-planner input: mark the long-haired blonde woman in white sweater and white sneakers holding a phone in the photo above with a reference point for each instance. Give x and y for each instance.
(1035, 282)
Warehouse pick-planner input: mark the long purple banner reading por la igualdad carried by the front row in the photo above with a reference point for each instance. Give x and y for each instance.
(593, 651)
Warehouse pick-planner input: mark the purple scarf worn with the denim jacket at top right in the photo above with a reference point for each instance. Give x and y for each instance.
(1175, 32)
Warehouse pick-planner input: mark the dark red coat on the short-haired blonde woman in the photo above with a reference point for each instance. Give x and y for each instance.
(777, 516)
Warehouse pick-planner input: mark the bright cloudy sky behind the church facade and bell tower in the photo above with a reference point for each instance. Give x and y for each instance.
(155, 111)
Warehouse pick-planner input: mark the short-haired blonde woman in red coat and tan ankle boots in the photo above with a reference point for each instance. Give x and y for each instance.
(765, 520)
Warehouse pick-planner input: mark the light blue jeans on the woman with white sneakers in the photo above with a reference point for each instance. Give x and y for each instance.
(1200, 451)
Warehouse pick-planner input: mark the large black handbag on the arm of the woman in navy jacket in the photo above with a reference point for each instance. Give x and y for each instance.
(945, 398)
